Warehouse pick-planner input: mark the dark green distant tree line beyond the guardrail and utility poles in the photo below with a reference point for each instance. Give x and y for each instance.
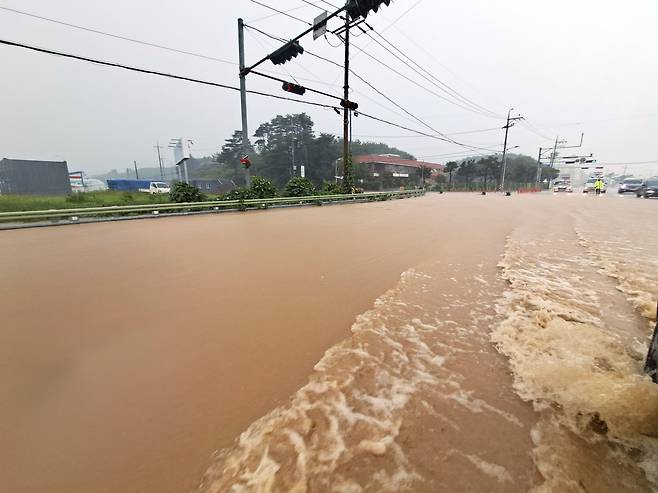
(275, 142)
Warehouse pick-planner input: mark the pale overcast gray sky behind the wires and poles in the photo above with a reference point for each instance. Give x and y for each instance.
(567, 66)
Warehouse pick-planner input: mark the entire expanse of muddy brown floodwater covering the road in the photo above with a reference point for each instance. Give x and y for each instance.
(445, 343)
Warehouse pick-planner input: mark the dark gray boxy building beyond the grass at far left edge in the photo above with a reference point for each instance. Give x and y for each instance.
(26, 177)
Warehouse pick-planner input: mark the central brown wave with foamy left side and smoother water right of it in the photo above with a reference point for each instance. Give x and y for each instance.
(391, 408)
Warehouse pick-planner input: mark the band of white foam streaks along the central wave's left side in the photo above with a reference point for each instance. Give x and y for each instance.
(350, 410)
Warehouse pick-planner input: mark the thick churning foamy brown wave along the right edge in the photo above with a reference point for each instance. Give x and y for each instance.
(576, 348)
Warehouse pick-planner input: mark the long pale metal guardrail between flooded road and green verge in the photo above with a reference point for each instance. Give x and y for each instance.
(214, 205)
